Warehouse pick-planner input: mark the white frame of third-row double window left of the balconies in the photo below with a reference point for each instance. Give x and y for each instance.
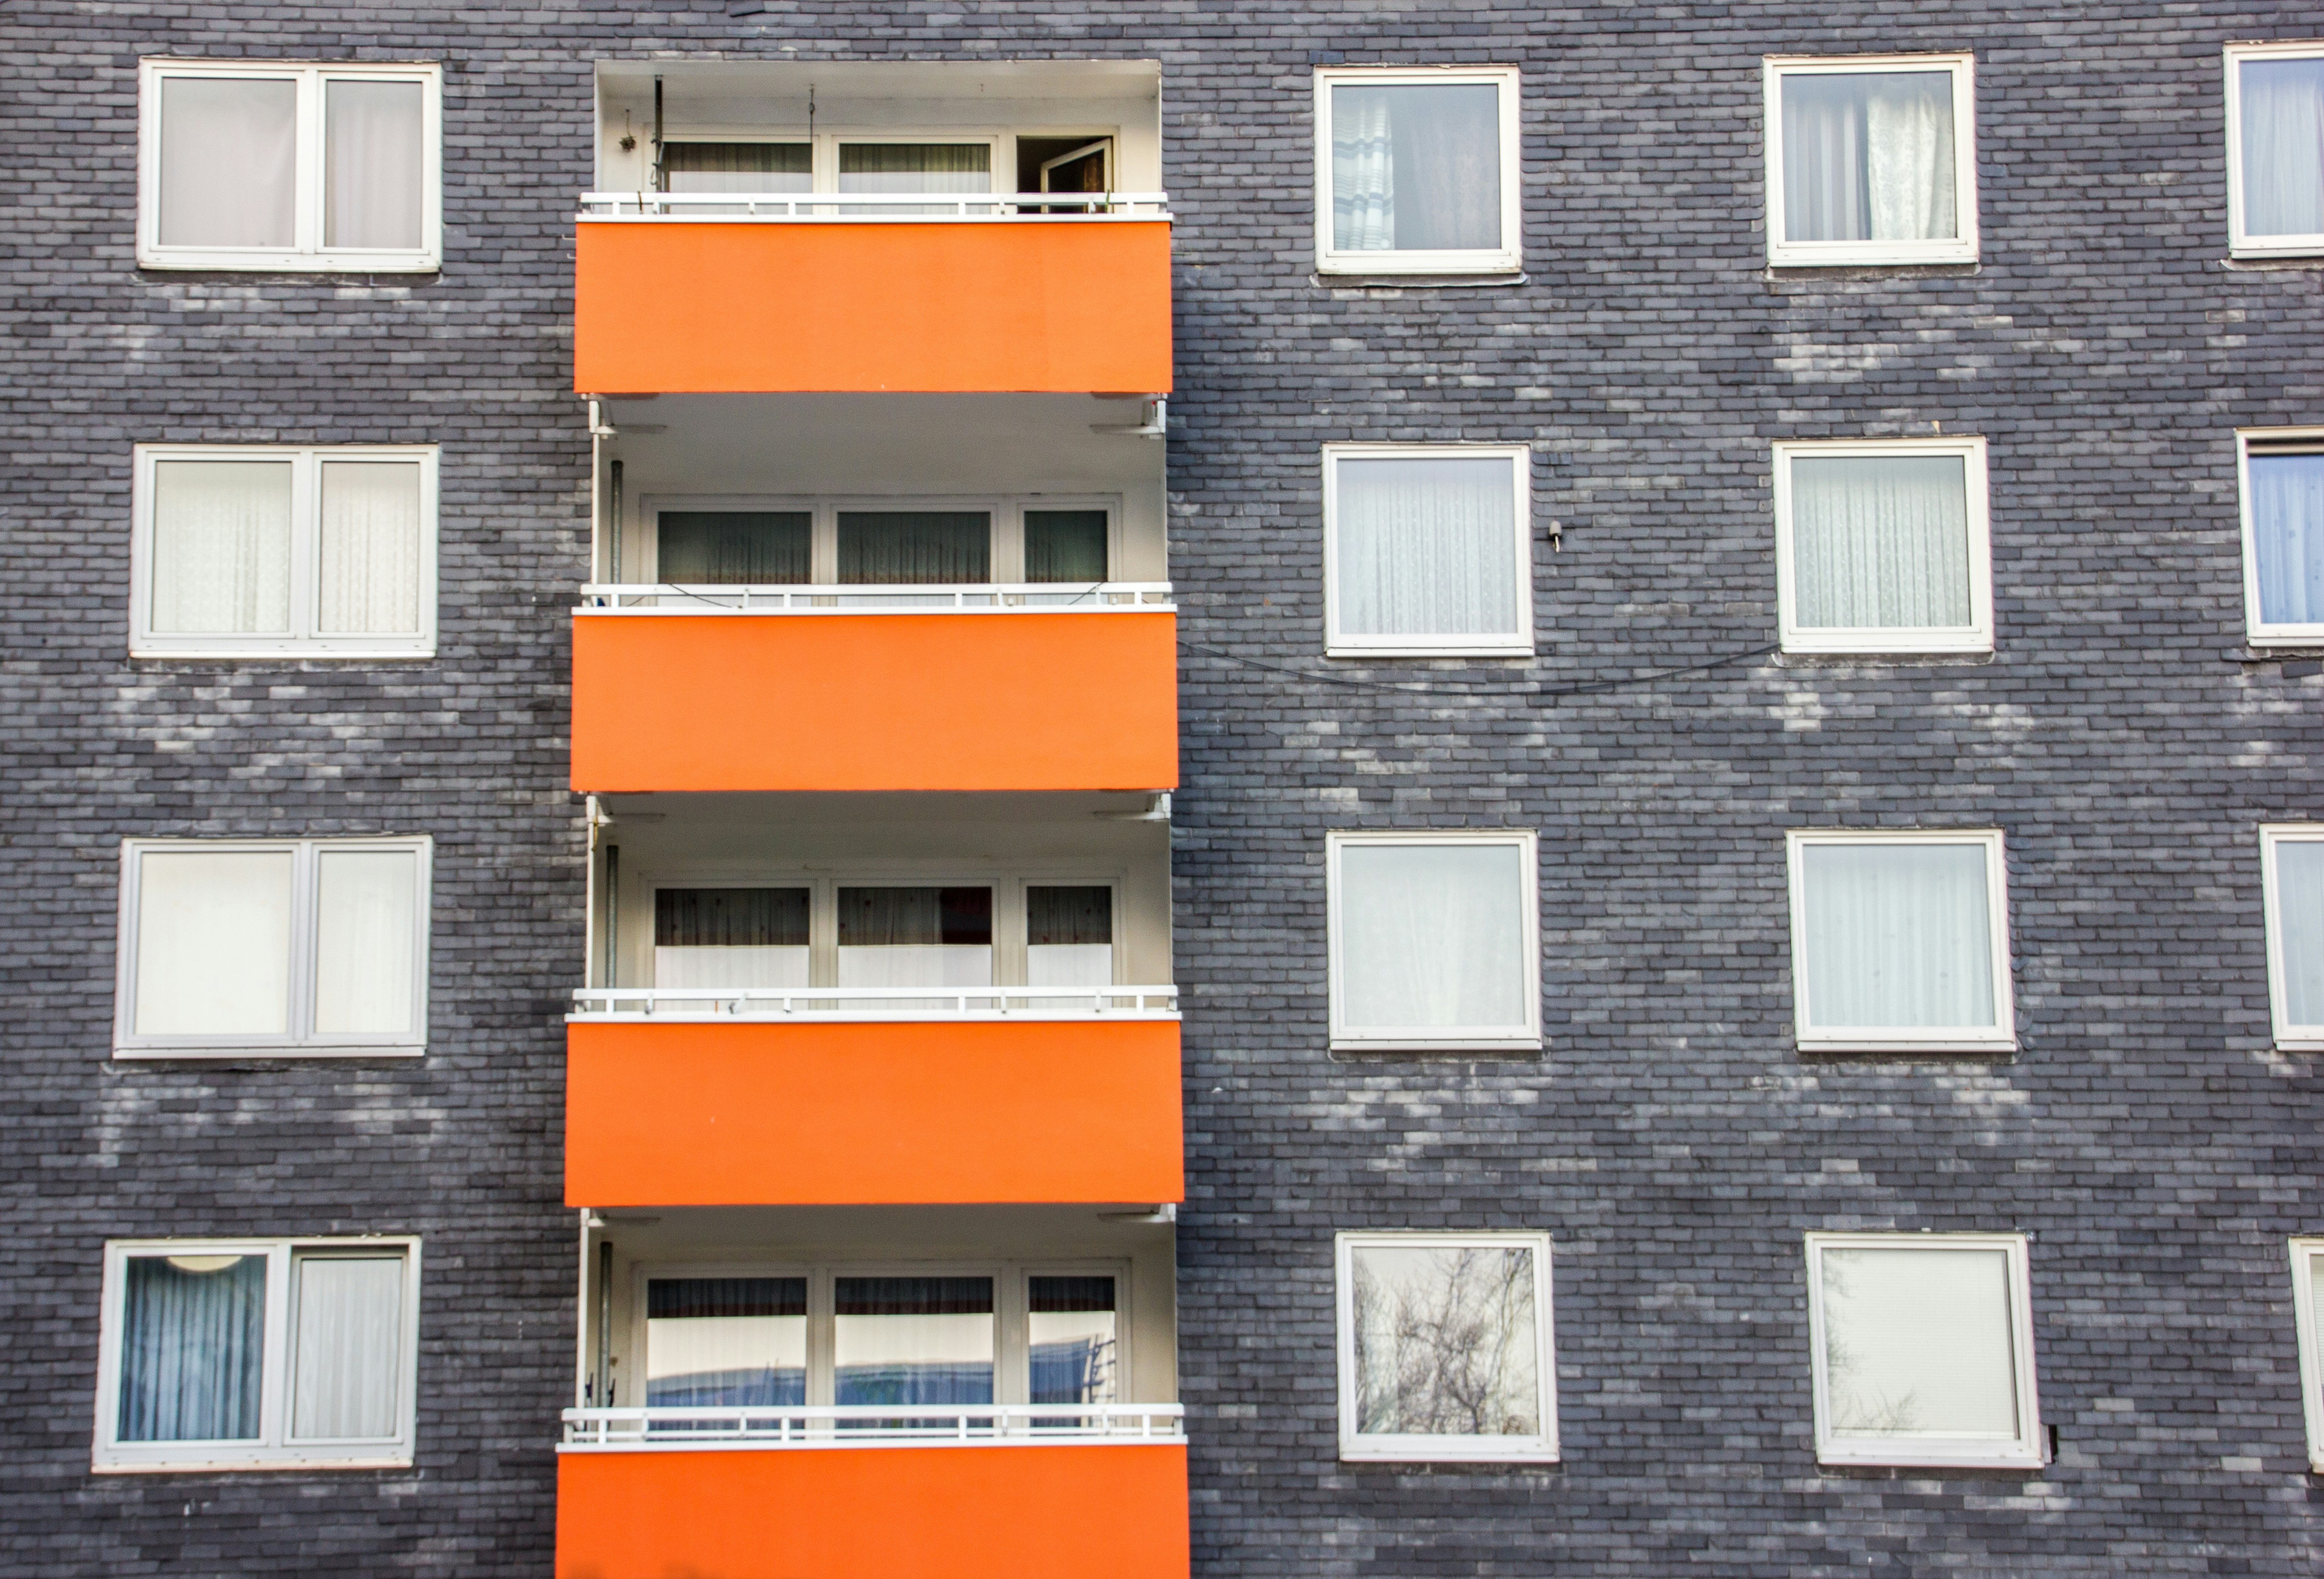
(301, 1041)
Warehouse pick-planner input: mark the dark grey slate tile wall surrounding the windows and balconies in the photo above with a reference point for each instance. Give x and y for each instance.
(2146, 1138)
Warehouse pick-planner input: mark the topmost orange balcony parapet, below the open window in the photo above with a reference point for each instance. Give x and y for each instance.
(1040, 306)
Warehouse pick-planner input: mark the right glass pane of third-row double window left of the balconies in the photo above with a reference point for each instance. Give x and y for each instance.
(366, 941)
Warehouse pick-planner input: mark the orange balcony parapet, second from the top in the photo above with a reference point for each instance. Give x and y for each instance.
(1026, 701)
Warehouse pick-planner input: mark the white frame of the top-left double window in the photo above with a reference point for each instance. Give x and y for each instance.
(308, 252)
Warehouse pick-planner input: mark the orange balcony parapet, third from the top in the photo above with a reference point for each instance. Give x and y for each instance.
(754, 1113)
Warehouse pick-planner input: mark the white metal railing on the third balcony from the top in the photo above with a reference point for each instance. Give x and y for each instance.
(875, 1003)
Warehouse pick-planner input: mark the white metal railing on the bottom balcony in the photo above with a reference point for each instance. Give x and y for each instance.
(873, 1427)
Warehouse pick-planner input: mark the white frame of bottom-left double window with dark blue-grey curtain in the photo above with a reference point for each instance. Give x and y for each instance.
(273, 1448)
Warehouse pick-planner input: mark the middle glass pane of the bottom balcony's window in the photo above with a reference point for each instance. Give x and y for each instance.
(914, 1341)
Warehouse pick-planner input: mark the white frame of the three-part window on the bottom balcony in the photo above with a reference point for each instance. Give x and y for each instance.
(1012, 1308)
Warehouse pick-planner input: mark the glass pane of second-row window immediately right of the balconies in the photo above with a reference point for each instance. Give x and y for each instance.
(1426, 548)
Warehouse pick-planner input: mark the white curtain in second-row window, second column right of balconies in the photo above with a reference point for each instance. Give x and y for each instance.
(1881, 543)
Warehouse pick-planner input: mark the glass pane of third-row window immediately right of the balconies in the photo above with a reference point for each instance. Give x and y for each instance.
(1433, 936)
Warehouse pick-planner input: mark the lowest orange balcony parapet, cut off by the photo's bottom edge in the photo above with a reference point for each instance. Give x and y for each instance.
(875, 1513)
